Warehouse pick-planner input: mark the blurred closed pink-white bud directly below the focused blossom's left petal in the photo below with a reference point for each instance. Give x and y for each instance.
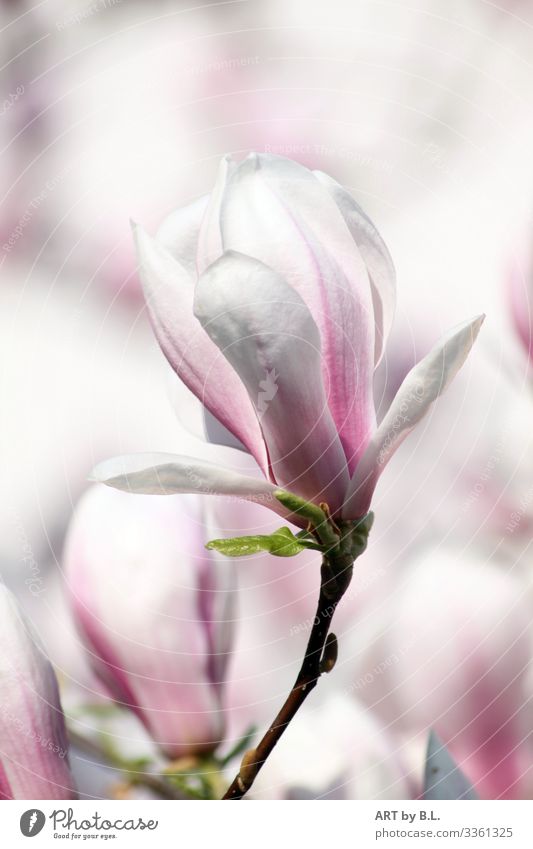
(155, 610)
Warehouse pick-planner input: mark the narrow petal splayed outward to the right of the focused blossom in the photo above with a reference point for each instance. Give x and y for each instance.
(415, 397)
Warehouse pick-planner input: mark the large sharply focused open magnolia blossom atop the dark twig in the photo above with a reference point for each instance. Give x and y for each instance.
(272, 300)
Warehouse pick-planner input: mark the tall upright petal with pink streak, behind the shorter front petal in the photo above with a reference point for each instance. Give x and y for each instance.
(276, 211)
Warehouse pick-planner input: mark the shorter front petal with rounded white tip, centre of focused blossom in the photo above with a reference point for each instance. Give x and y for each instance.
(265, 330)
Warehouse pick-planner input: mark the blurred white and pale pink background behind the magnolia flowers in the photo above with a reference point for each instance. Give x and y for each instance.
(111, 111)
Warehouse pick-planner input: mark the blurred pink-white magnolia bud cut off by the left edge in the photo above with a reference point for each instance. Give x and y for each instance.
(33, 741)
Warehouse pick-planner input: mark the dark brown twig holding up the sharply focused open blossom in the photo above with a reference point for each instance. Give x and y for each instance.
(320, 656)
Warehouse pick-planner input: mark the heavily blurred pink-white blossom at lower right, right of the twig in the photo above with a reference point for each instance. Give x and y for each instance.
(452, 653)
